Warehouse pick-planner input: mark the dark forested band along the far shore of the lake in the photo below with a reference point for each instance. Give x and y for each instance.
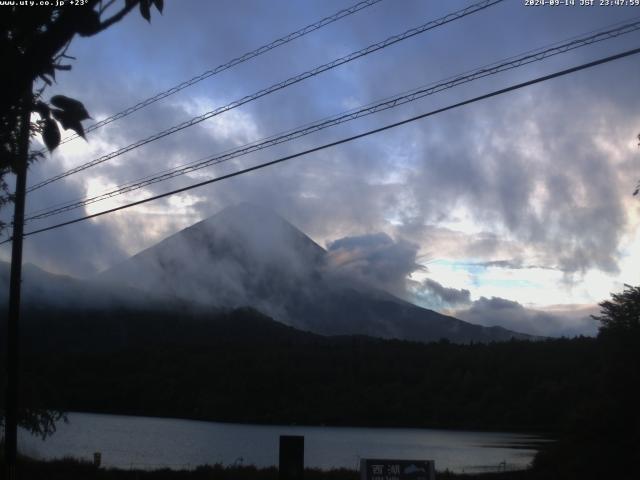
(243, 367)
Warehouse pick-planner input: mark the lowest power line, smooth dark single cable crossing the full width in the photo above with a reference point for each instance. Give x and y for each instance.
(345, 140)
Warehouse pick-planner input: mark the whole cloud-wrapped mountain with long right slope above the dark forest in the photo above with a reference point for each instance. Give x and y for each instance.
(249, 256)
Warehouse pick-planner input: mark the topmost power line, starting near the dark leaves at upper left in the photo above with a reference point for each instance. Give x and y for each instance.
(231, 63)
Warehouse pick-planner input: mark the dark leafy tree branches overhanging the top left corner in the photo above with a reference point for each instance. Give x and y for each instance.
(33, 47)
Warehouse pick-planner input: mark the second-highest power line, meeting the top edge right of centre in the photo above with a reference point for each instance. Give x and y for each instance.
(277, 86)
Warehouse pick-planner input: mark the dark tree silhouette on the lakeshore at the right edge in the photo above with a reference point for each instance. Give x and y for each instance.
(602, 439)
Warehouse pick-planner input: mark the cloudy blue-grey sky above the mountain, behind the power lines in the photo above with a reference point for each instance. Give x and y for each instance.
(514, 211)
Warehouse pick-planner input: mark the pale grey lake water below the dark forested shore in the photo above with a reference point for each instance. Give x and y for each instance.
(151, 443)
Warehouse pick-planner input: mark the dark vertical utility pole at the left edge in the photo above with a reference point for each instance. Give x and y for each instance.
(13, 321)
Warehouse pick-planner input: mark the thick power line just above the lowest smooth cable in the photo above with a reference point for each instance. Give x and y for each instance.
(391, 102)
